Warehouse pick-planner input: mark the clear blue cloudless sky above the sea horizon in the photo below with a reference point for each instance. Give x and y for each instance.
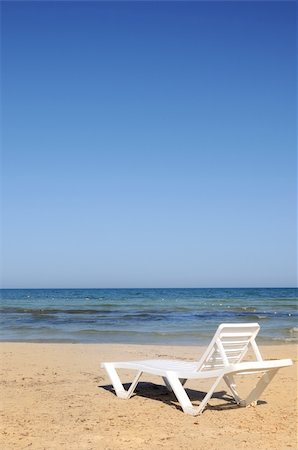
(149, 144)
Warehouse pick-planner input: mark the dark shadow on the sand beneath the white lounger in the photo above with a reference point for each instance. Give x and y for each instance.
(160, 393)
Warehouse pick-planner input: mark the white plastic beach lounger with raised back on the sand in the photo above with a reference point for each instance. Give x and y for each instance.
(223, 359)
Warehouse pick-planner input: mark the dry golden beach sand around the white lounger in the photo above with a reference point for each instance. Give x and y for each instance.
(55, 396)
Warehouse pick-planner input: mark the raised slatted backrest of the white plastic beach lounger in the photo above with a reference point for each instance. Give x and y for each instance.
(229, 346)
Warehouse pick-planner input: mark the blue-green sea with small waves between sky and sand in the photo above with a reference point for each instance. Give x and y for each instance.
(144, 316)
